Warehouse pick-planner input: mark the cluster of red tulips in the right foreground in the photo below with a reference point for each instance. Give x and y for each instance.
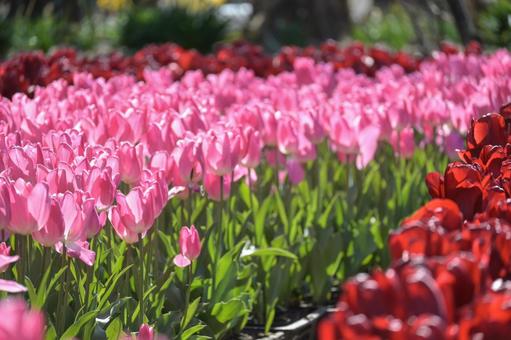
(452, 258)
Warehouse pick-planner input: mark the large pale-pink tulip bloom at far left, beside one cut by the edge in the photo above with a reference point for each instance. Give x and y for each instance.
(32, 207)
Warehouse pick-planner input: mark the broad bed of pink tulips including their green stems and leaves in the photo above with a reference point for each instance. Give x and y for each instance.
(265, 174)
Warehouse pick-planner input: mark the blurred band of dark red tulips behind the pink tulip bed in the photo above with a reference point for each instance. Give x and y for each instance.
(26, 70)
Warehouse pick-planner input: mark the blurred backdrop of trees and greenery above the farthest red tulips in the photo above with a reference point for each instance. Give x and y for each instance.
(104, 25)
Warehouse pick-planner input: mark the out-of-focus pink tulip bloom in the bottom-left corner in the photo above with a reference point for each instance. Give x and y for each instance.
(20, 323)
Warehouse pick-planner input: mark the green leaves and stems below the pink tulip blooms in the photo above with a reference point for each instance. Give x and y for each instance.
(280, 244)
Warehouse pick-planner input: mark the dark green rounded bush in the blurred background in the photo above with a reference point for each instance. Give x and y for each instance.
(200, 30)
